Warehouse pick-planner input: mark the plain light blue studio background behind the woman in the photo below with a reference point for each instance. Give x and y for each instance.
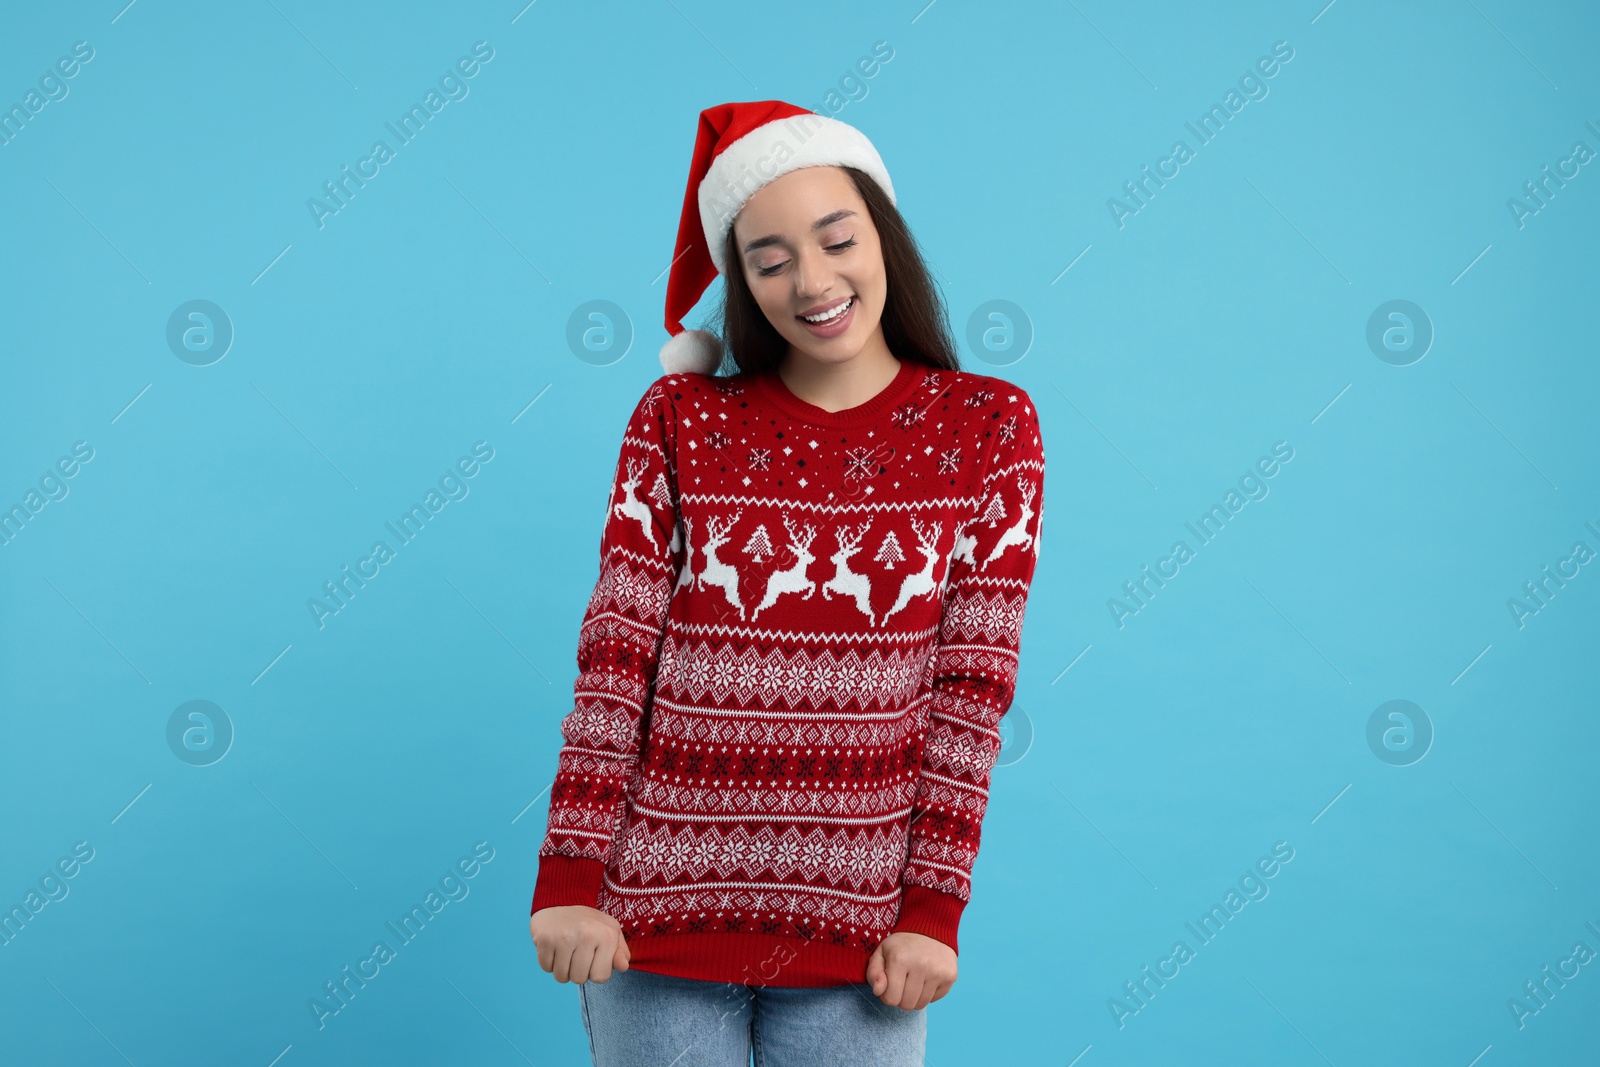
(433, 313)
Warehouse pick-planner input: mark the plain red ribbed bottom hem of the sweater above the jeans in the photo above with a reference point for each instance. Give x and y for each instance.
(750, 959)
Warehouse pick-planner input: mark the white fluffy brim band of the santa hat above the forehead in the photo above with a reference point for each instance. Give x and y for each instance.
(772, 151)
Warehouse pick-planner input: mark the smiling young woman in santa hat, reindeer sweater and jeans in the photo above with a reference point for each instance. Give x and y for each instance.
(802, 641)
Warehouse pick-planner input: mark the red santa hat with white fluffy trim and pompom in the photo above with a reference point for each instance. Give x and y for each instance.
(742, 148)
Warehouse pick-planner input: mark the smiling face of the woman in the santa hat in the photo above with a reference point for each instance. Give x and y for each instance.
(809, 247)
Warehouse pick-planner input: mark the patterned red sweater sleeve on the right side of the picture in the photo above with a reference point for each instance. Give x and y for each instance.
(975, 673)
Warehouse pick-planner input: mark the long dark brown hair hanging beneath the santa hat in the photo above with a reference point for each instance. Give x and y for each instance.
(914, 321)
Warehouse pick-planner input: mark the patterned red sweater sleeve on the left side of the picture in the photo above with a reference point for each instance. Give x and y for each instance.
(618, 649)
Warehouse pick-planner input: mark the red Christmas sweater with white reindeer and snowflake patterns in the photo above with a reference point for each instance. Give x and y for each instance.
(793, 671)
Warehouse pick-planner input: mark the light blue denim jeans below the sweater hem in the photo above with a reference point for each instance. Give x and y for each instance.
(646, 1020)
